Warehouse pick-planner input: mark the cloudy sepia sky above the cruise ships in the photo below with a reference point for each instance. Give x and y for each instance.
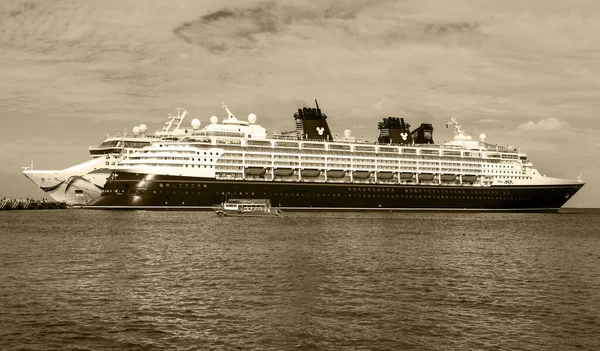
(525, 73)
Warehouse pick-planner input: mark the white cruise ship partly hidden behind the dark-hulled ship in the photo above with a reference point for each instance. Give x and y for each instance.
(83, 183)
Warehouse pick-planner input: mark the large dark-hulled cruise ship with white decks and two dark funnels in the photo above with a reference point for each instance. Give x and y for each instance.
(307, 169)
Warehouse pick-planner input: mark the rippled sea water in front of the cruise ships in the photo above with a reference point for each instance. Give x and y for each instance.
(136, 280)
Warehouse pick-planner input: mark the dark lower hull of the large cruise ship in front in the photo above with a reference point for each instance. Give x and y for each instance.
(162, 192)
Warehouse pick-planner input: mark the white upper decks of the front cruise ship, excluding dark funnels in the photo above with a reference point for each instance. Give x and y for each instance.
(234, 149)
